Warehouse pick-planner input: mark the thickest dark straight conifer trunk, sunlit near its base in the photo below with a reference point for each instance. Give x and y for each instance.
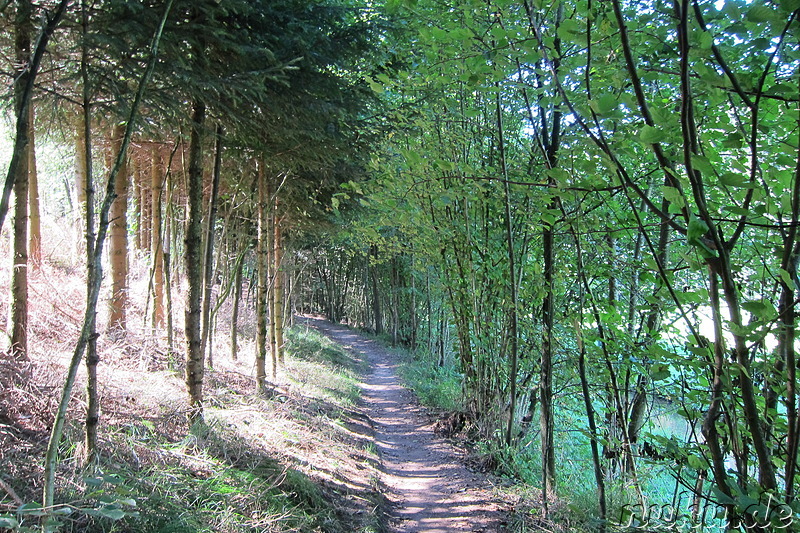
(193, 263)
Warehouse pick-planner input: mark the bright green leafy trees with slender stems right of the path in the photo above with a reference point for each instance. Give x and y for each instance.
(594, 207)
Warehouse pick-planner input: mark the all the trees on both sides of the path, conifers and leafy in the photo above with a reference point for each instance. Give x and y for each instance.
(579, 217)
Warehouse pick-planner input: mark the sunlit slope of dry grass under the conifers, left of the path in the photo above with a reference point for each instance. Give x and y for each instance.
(301, 460)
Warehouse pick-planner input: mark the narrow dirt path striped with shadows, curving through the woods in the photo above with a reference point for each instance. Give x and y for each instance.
(429, 488)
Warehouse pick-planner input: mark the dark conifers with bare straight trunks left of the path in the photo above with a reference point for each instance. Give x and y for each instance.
(205, 134)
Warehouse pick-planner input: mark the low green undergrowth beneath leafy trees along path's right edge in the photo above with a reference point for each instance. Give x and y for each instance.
(575, 508)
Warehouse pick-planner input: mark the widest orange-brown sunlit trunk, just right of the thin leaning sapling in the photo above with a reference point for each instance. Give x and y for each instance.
(118, 243)
